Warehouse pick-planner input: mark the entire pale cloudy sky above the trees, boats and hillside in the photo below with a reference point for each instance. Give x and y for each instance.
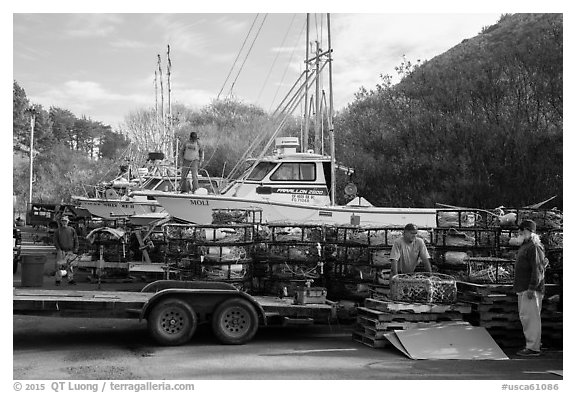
(101, 65)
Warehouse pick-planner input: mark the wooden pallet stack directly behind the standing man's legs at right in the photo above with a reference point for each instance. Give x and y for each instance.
(496, 309)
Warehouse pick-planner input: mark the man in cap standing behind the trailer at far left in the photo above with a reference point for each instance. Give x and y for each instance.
(66, 243)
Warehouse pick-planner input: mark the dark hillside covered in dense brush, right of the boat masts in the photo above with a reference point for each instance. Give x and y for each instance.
(479, 125)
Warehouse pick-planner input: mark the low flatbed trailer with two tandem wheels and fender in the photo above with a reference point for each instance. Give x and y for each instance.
(173, 309)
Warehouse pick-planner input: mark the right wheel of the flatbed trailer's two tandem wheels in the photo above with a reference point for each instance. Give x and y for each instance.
(235, 321)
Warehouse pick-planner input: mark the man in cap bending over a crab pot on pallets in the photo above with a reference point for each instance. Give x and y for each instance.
(407, 252)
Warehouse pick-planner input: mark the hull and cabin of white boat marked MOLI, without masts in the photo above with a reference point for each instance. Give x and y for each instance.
(288, 186)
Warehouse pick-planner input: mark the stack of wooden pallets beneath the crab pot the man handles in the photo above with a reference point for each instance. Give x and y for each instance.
(379, 317)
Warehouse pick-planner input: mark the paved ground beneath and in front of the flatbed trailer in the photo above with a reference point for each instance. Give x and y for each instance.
(78, 348)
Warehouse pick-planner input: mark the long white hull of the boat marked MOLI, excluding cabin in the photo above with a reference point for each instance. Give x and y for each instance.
(198, 209)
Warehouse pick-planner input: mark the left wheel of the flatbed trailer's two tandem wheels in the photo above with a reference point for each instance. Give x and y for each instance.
(172, 322)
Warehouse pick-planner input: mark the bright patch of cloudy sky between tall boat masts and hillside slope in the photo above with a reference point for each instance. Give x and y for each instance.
(367, 45)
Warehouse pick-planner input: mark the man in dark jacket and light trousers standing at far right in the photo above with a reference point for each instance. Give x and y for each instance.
(529, 285)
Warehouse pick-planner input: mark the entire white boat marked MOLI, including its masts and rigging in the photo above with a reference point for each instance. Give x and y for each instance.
(291, 185)
